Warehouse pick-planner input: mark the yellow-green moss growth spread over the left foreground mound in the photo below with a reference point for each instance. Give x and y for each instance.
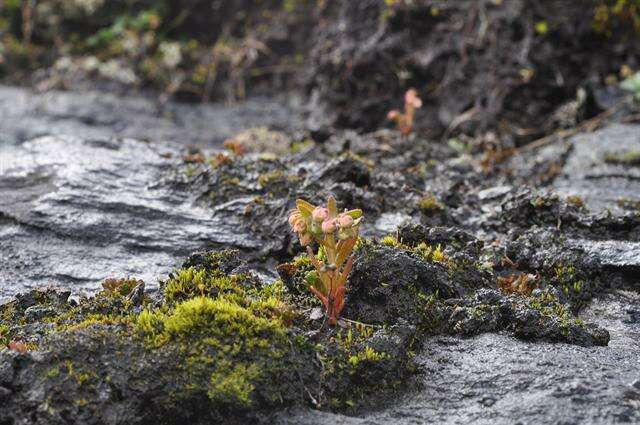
(242, 345)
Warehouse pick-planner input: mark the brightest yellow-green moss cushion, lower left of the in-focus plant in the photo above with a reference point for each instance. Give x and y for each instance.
(234, 344)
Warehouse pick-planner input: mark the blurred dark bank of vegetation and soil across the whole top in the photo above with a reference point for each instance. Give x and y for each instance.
(512, 60)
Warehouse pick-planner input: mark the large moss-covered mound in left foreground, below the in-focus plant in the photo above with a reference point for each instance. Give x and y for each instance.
(215, 346)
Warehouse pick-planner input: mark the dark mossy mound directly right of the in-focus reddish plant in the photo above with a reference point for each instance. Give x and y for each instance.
(442, 282)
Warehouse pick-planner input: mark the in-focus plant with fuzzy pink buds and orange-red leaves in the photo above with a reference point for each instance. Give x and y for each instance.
(336, 234)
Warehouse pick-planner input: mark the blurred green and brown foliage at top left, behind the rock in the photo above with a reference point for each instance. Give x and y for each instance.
(188, 46)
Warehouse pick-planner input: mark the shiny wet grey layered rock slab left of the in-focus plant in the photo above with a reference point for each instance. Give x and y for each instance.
(76, 211)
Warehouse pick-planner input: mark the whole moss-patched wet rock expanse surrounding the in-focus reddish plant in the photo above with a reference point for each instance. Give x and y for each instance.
(561, 334)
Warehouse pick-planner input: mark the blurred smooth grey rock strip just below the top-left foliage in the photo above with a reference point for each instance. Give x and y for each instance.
(98, 115)
